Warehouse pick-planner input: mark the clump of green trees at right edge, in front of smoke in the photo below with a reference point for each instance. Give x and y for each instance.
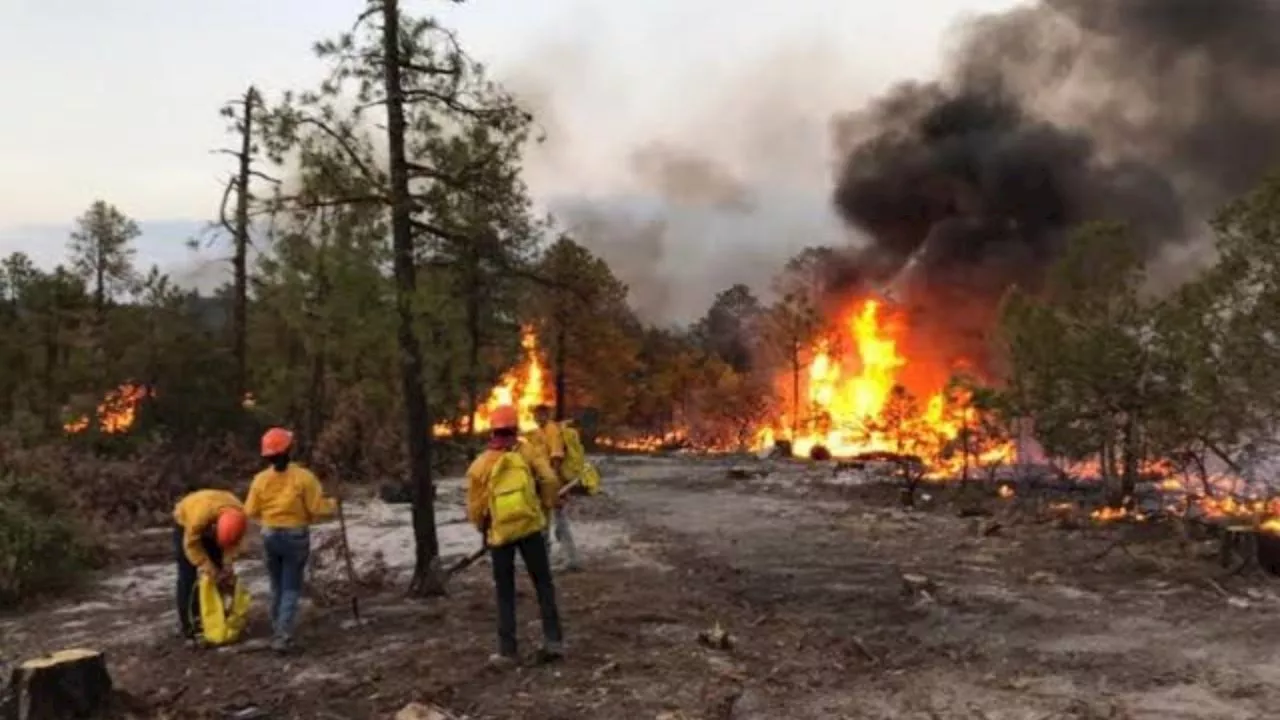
(1105, 372)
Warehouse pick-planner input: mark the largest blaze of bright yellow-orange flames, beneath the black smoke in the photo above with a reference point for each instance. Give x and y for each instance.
(854, 403)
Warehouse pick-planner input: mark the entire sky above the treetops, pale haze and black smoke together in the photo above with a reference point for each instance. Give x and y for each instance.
(698, 149)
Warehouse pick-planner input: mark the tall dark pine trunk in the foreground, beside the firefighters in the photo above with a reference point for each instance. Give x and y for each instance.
(428, 575)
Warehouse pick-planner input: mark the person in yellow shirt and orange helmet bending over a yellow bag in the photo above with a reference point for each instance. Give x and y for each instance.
(209, 526)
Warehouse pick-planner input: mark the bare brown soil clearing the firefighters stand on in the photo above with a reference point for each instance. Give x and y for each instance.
(839, 604)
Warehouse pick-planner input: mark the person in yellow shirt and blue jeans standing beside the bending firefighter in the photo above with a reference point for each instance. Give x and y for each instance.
(286, 499)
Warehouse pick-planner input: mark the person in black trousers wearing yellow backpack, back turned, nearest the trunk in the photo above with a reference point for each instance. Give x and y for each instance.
(510, 493)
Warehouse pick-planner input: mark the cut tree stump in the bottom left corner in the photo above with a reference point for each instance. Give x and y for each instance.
(71, 683)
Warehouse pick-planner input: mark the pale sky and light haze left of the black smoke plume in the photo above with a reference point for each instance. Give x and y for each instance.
(650, 104)
